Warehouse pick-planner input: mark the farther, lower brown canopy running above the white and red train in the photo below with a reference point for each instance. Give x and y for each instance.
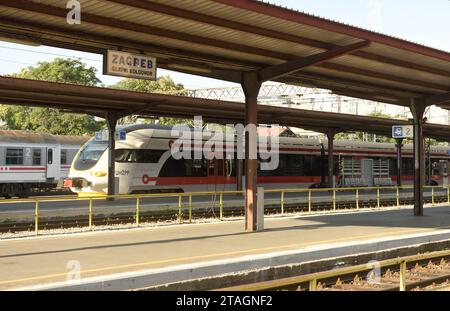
(99, 101)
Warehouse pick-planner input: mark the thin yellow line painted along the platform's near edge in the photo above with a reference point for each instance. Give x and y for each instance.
(242, 252)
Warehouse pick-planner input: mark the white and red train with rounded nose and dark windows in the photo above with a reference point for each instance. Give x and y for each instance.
(144, 164)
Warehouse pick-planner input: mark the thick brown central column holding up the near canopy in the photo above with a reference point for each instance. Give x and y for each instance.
(251, 86)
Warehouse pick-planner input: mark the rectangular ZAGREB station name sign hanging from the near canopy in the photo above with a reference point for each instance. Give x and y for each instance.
(123, 64)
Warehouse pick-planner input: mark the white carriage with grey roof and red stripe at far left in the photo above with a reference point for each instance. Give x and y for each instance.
(32, 161)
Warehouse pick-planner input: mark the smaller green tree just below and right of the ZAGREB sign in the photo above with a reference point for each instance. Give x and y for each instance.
(163, 85)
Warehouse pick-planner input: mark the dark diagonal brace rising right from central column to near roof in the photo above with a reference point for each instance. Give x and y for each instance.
(277, 71)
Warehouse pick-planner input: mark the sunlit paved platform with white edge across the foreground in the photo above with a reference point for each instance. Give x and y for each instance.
(136, 258)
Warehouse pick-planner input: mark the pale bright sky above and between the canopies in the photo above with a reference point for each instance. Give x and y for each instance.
(424, 22)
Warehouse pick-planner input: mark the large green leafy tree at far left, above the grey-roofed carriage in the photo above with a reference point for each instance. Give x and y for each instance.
(50, 120)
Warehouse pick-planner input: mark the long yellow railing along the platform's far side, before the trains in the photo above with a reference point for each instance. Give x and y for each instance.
(183, 198)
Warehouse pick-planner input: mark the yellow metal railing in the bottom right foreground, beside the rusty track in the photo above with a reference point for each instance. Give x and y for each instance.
(314, 278)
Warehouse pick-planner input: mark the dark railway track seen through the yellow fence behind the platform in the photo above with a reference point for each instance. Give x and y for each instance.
(197, 213)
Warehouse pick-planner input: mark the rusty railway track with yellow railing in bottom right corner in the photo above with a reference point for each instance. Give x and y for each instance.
(412, 273)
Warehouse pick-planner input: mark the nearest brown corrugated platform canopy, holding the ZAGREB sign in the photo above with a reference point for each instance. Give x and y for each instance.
(223, 38)
